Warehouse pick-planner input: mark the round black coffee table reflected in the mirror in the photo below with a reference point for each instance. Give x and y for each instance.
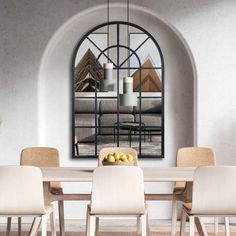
(131, 127)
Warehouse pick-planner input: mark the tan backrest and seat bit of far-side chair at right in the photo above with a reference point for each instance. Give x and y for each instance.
(194, 157)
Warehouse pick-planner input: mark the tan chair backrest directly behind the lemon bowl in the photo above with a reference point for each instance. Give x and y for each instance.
(105, 151)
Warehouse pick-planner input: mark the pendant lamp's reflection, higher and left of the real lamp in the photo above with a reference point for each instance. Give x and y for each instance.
(108, 84)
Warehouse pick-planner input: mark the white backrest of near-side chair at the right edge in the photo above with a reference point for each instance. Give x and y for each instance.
(214, 190)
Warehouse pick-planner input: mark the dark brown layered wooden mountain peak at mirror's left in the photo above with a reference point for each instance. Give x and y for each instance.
(87, 72)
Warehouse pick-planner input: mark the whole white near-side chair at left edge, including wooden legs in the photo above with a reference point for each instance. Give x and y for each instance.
(21, 195)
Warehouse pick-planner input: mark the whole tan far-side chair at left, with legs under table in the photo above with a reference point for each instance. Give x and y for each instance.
(44, 157)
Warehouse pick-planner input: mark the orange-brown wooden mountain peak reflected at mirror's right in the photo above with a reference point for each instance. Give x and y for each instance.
(150, 80)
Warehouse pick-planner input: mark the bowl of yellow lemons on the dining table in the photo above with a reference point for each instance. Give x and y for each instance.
(118, 158)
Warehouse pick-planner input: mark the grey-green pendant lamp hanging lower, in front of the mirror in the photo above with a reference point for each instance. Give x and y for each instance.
(128, 98)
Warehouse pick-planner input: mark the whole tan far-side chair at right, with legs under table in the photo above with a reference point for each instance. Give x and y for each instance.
(191, 157)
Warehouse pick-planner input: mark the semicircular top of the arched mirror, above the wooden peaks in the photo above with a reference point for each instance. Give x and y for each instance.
(120, 36)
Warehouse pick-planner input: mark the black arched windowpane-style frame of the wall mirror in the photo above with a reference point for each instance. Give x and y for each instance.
(117, 67)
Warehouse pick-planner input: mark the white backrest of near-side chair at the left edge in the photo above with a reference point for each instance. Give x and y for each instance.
(21, 191)
